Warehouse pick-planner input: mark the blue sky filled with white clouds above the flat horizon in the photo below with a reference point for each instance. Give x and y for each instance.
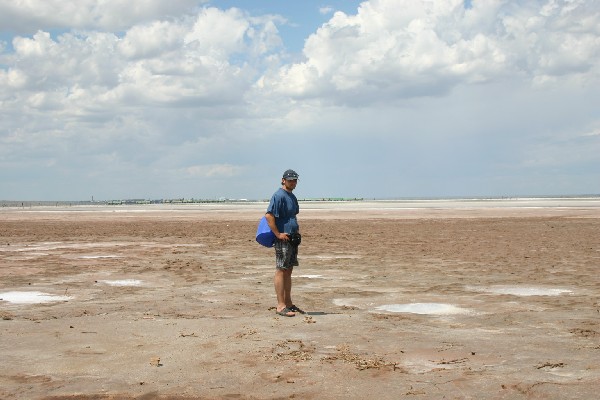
(149, 99)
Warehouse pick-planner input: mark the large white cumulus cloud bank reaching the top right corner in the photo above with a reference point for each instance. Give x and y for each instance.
(400, 48)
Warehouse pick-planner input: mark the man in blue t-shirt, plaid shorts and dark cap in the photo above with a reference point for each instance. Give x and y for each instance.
(281, 217)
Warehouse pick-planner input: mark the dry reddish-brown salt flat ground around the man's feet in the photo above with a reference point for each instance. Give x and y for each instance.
(199, 322)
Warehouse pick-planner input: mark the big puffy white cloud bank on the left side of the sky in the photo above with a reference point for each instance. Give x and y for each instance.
(181, 62)
